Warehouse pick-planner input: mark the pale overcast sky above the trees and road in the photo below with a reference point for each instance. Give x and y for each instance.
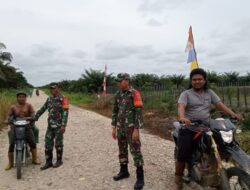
(53, 40)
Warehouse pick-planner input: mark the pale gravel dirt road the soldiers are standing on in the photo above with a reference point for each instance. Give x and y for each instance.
(90, 158)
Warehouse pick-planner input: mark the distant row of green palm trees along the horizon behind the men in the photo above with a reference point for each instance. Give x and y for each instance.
(91, 80)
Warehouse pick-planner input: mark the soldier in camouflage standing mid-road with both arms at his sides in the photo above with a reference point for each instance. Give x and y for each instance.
(127, 119)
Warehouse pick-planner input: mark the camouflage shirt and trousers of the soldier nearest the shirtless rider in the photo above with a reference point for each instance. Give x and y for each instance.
(57, 118)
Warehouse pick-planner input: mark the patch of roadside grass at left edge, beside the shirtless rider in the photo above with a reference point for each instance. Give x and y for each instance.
(7, 97)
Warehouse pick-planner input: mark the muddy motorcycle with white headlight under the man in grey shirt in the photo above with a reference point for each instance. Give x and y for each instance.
(218, 161)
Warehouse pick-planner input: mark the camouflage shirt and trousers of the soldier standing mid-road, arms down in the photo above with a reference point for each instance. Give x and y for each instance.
(125, 118)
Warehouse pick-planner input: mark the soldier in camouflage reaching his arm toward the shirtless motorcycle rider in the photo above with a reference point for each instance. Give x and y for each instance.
(57, 106)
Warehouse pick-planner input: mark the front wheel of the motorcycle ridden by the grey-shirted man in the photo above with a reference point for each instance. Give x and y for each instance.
(238, 178)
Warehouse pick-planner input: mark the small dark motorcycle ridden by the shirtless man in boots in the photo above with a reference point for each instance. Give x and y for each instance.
(21, 150)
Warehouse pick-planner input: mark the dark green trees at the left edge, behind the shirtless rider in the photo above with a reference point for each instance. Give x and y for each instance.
(10, 77)
